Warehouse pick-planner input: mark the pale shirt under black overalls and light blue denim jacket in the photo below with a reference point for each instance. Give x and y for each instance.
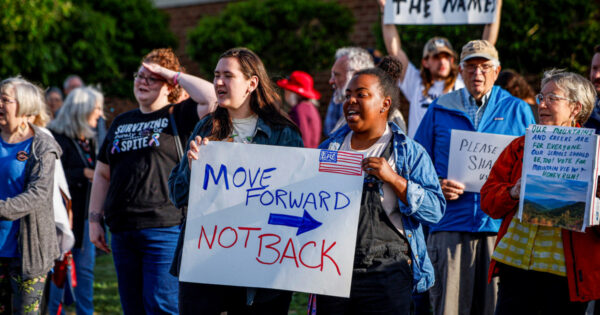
(389, 200)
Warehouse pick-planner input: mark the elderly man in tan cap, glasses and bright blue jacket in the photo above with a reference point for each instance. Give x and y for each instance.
(461, 244)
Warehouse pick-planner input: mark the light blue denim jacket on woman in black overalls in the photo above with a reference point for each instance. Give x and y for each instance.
(426, 203)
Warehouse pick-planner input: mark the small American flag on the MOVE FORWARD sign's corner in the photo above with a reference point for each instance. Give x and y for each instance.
(340, 162)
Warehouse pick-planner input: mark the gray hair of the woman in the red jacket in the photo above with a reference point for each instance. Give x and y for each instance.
(577, 88)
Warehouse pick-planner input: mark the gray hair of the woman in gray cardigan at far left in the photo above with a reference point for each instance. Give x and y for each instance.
(29, 97)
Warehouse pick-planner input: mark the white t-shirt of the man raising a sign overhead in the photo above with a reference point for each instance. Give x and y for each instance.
(412, 87)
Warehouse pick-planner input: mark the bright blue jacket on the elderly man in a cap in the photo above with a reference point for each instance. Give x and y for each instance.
(504, 114)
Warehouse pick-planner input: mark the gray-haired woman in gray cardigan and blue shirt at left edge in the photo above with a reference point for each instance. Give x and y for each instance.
(28, 244)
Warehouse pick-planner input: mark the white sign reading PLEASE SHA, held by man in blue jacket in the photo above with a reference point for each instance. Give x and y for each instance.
(472, 155)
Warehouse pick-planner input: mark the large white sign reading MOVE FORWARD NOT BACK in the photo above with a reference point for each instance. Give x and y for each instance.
(272, 217)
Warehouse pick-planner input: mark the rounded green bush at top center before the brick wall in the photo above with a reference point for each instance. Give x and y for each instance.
(287, 35)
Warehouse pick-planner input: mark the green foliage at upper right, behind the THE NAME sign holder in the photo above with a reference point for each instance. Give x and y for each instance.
(534, 35)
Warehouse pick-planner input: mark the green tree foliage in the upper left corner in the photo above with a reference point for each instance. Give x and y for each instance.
(102, 41)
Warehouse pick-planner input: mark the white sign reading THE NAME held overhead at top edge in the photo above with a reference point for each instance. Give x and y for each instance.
(430, 12)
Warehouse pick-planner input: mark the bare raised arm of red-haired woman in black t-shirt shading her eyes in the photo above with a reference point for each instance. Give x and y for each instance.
(200, 90)
